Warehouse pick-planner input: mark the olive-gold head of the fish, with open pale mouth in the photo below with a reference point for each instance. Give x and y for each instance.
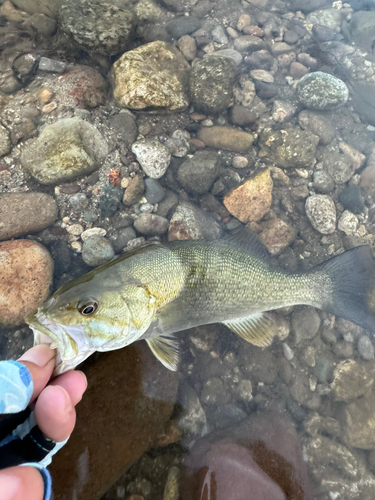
(84, 317)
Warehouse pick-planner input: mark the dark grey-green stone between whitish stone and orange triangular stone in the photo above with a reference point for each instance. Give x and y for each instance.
(198, 173)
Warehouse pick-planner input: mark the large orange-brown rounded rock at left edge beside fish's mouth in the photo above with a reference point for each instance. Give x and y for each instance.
(25, 278)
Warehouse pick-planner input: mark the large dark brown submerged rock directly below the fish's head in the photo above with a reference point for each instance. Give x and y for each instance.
(148, 392)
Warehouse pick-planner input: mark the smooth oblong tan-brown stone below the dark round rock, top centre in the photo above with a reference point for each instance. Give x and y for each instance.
(226, 138)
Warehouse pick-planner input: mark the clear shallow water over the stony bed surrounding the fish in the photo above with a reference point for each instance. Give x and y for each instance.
(308, 399)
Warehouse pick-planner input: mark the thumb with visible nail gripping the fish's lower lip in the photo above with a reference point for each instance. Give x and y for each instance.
(40, 361)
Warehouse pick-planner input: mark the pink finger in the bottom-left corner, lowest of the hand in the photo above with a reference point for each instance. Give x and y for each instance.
(21, 483)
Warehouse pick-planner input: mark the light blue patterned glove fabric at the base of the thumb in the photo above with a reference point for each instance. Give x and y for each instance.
(16, 387)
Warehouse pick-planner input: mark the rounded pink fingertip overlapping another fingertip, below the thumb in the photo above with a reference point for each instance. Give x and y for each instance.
(55, 413)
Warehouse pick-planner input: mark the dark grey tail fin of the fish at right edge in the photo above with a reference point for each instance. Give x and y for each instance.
(352, 276)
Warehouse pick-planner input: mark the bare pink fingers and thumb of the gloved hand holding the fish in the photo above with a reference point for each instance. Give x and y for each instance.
(54, 414)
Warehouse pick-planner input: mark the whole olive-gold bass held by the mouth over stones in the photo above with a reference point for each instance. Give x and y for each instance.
(152, 292)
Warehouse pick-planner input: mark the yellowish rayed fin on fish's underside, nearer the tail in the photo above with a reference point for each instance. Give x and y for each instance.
(256, 329)
